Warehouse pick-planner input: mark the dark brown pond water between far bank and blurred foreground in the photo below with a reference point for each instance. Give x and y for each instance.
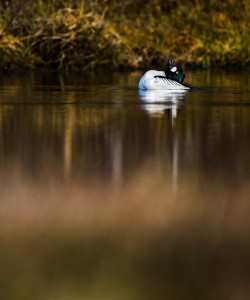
(98, 126)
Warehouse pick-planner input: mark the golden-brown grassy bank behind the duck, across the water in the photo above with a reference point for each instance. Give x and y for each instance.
(88, 34)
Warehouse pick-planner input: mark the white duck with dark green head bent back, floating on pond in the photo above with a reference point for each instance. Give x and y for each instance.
(170, 79)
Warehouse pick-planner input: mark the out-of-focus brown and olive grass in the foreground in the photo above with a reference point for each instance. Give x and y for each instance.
(140, 241)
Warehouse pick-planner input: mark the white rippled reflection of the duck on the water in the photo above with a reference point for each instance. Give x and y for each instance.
(156, 102)
